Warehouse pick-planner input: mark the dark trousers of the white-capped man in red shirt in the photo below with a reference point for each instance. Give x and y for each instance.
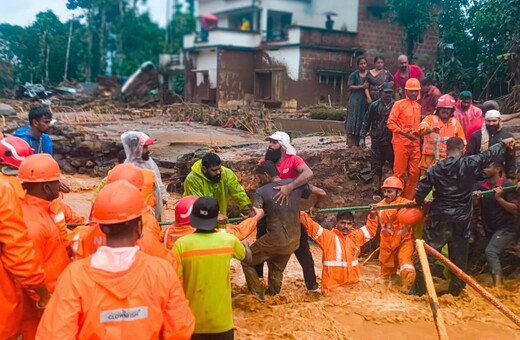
(303, 255)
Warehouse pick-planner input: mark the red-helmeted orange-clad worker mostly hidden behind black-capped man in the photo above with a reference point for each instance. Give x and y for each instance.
(182, 225)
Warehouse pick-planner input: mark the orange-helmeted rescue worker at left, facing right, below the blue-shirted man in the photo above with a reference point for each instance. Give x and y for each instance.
(40, 175)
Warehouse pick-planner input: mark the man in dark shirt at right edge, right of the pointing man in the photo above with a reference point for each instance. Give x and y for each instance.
(498, 216)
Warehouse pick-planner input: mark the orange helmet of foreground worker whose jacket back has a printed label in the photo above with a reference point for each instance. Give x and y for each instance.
(118, 202)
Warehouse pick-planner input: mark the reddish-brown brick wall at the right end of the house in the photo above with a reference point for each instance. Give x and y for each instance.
(383, 37)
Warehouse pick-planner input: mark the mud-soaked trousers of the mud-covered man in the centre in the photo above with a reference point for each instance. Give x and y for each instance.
(276, 265)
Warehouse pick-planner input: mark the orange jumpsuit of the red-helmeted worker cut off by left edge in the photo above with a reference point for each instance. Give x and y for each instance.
(19, 266)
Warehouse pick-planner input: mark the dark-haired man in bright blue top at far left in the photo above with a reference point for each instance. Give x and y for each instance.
(35, 134)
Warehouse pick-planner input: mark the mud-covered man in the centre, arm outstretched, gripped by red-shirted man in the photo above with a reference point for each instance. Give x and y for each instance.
(283, 229)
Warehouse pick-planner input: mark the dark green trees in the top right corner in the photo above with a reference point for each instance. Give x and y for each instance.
(478, 41)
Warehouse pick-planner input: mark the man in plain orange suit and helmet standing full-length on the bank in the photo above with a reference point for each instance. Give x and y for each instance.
(403, 121)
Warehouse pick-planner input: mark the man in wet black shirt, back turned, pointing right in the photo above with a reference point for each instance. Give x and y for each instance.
(452, 179)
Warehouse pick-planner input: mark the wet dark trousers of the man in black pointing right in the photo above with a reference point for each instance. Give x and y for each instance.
(439, 231)
